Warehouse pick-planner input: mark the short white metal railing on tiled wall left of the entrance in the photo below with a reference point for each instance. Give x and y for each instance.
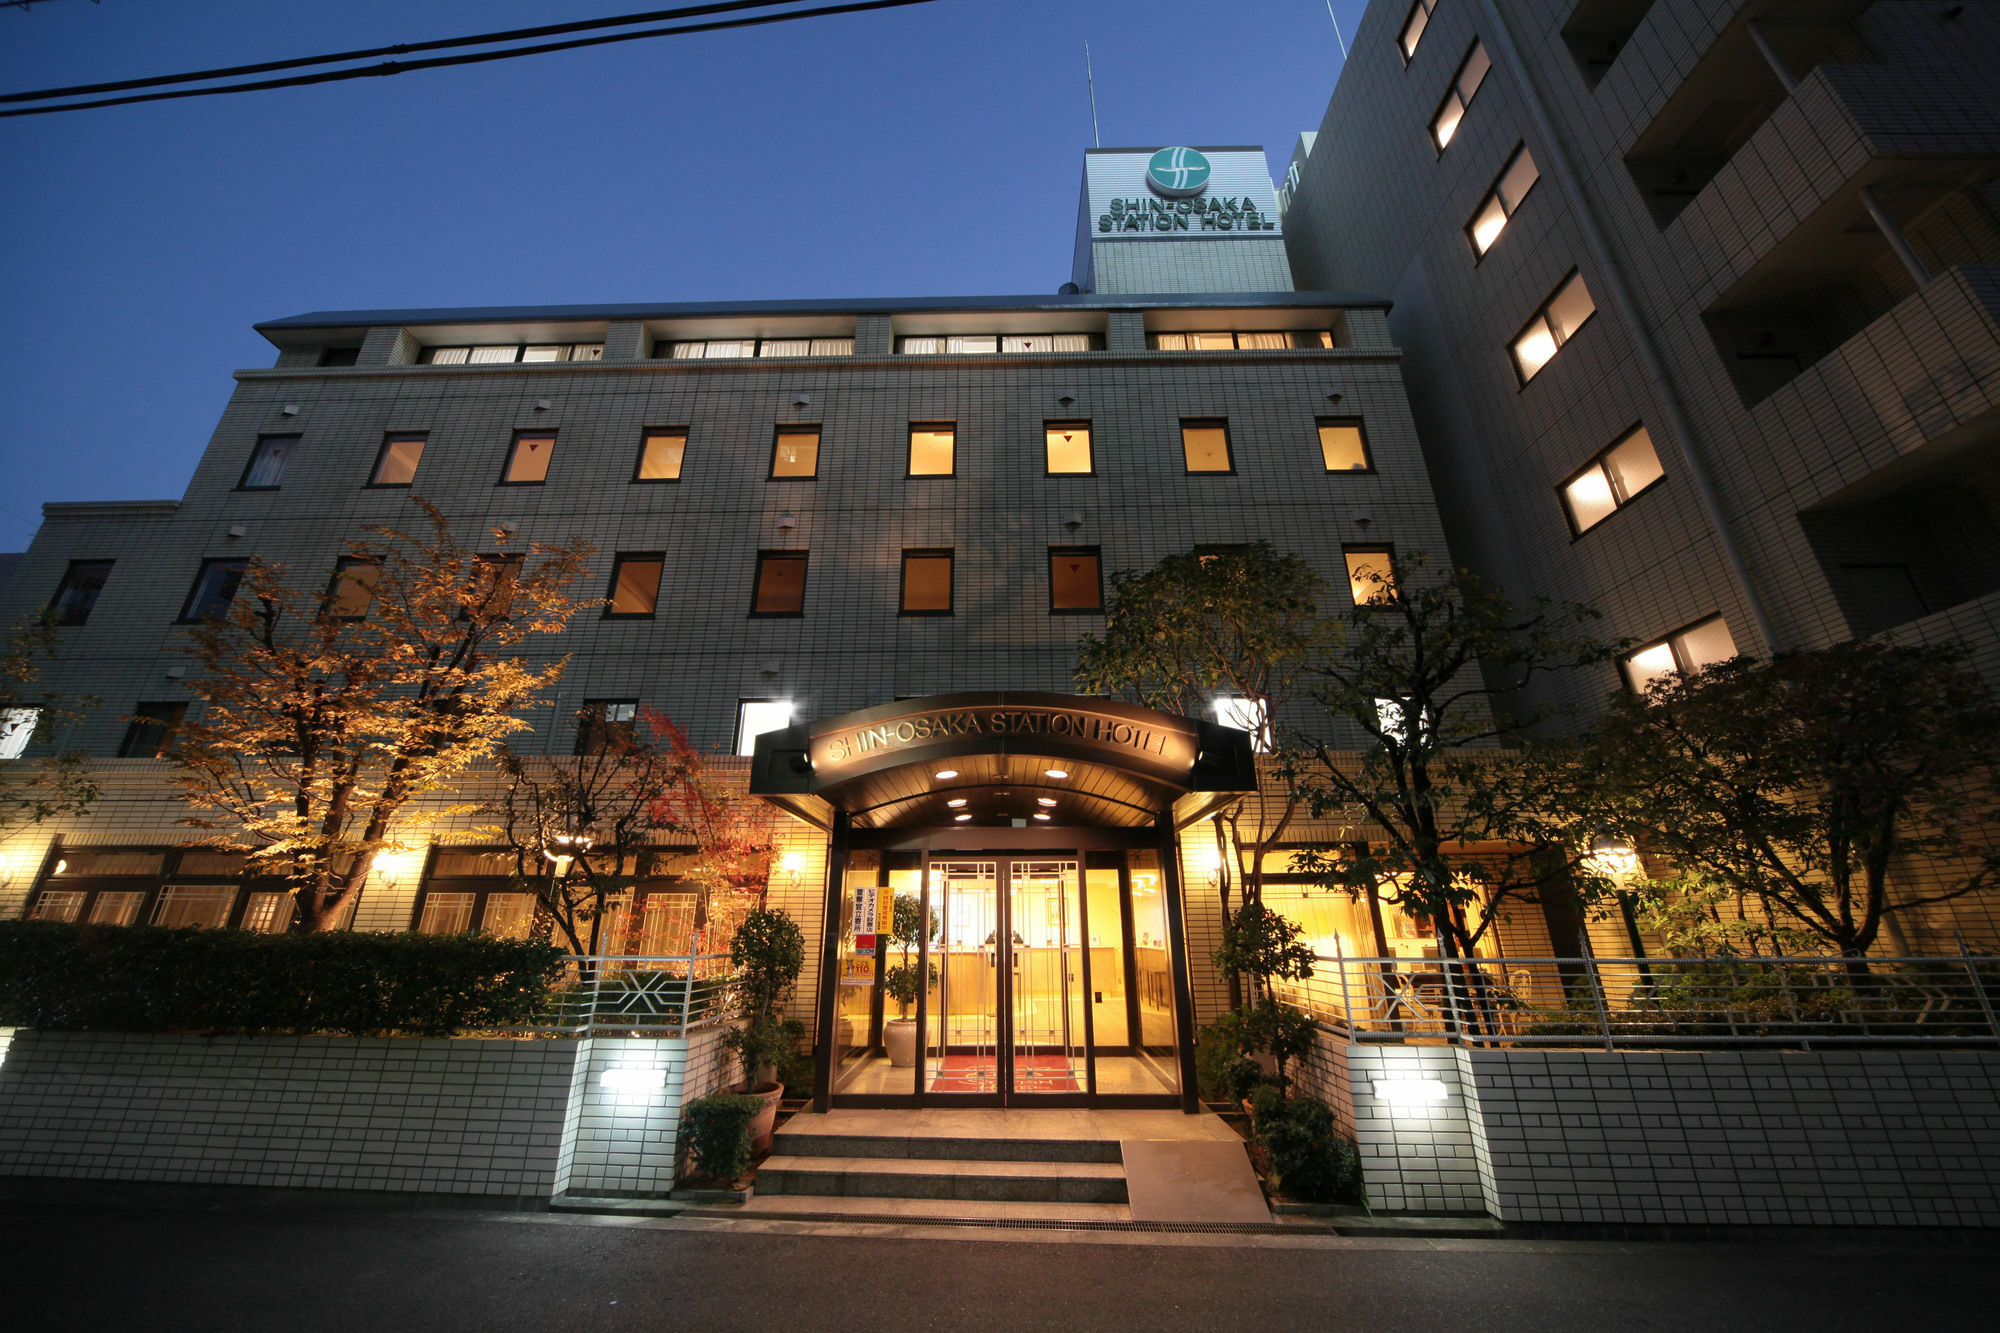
(633, 996)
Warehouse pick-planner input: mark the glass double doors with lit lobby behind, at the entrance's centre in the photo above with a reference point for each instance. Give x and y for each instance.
(1007, 982)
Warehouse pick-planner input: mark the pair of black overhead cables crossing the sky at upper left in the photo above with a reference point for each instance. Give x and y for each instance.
(405, 67)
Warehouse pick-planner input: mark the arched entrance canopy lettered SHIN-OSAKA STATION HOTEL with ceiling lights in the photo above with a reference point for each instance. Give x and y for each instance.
(999, 760)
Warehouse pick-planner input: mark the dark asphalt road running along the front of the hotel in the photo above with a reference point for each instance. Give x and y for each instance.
(217, 1260)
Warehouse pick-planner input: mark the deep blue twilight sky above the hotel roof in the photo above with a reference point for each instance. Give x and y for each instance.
(907, 153)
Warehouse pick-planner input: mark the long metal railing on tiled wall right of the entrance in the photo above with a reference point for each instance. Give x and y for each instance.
(1637, 1004)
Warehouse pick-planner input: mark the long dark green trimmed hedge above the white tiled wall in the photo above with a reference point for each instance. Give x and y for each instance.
(155, 980)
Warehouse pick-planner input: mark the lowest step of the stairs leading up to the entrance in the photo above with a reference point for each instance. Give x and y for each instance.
(879, 1176)
